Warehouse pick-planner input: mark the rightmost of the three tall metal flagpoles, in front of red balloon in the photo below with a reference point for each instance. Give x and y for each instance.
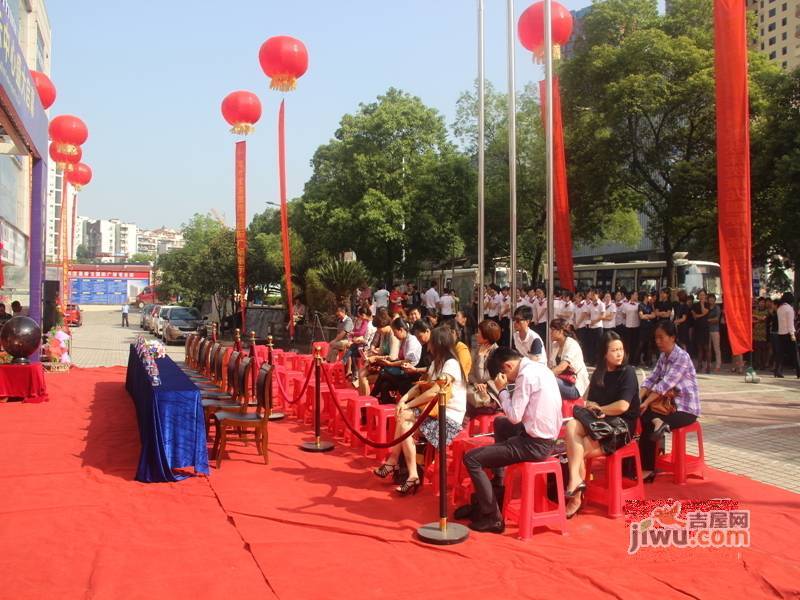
(548, 77)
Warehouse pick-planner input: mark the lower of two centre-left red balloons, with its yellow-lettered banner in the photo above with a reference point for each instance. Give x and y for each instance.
(242, 110)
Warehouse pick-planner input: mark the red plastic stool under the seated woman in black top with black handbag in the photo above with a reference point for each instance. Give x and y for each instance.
(613, 490)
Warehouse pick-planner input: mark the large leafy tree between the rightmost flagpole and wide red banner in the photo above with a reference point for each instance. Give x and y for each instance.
(639, 112)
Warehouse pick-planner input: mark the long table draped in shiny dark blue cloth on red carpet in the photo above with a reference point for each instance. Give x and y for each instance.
(171, 424)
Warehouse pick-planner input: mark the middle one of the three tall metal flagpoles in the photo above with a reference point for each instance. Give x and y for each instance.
(512, 161)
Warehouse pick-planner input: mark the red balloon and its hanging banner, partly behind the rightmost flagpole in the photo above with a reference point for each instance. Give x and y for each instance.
(530, 29)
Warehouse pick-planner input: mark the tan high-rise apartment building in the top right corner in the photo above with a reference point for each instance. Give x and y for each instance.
(778, 31)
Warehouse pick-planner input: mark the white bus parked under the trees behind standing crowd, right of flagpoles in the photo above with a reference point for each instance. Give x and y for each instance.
(689, 275)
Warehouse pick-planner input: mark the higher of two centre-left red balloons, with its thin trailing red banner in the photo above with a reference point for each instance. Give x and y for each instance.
(284, 60)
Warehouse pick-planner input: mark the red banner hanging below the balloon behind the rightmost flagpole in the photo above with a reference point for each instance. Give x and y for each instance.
(562, 229)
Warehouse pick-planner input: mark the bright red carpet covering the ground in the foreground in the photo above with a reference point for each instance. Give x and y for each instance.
(74, 524)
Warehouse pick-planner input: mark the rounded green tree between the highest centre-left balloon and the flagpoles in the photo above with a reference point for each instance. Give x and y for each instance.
(387, 187)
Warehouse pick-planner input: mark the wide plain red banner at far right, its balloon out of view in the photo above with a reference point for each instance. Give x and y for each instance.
(733, 170)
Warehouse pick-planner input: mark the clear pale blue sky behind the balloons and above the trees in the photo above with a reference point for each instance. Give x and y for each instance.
(148, 78)
